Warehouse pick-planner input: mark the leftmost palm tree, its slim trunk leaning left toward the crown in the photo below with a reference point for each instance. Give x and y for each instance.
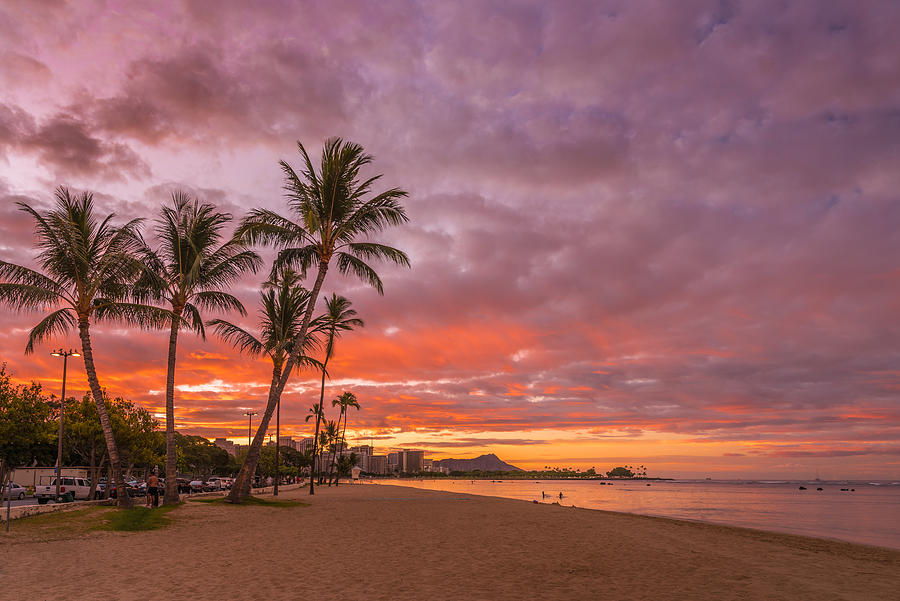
(89, 266)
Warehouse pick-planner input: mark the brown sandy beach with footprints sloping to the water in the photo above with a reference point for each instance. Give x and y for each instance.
(372, 541)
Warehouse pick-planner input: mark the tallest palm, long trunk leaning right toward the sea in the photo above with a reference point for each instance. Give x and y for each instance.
(334, 220)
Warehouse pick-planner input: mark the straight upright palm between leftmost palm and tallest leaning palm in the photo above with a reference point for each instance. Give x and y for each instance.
(189, 272)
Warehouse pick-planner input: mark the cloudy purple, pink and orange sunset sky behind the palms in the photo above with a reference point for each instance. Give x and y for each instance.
(658, 233)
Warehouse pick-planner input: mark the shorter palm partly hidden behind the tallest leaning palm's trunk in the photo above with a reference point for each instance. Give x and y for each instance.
(283, 303)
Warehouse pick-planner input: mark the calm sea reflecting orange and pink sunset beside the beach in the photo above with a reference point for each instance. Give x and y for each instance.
(869, 515)
